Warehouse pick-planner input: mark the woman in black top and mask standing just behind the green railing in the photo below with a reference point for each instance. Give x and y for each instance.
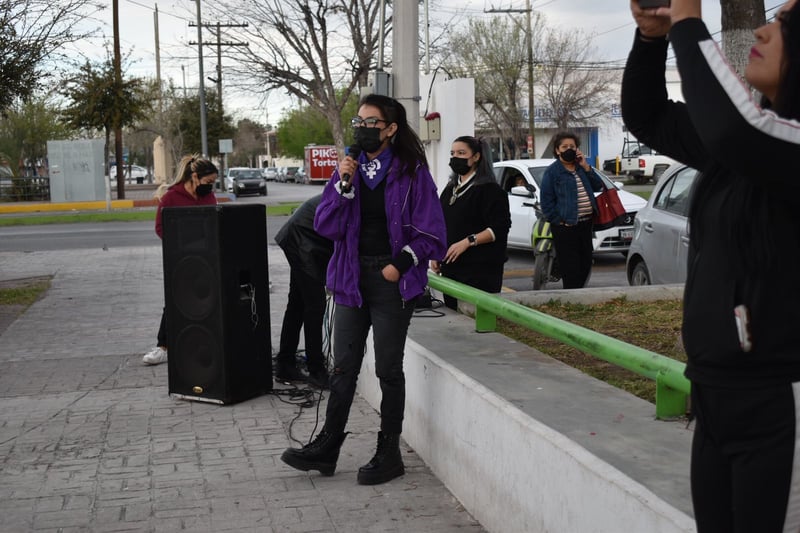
(477, 216)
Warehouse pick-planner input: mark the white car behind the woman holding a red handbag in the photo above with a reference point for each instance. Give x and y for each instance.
(523, 216)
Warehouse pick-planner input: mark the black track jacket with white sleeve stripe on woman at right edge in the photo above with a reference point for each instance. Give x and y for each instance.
(745, 245)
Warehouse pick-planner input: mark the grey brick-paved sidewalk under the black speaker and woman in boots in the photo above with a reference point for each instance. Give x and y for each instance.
(91, 441)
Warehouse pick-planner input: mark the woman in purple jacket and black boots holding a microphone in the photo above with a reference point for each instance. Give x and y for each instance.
(382, 211)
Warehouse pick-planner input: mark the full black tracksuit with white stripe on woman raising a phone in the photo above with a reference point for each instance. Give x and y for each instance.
(746, 453)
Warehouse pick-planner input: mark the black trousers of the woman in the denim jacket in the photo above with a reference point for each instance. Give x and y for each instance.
(574, 250)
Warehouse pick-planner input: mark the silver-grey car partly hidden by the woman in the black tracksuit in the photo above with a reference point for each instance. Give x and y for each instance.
(660, 246)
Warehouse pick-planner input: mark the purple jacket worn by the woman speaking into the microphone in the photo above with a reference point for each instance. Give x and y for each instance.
(416, 224)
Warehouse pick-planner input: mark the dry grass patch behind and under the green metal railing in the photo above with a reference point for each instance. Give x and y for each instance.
(654, 326)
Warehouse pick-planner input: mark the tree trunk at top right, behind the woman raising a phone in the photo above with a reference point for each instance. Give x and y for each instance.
(739, 19)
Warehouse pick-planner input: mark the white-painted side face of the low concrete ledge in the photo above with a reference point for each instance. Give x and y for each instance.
(512, 473)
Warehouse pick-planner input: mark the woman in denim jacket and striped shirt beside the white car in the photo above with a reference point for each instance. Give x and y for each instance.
(567, 198)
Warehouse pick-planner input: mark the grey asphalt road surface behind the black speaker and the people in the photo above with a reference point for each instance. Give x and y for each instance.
(608, 270)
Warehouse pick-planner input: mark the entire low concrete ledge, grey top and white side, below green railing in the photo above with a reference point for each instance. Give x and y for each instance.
(527, 443)
